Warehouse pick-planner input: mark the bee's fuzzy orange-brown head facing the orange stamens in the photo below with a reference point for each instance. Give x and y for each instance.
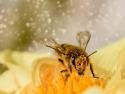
(80, 63)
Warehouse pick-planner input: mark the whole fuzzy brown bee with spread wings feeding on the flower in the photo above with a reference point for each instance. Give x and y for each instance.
(70, 56)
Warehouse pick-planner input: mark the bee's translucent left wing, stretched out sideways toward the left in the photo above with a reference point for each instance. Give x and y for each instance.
(50, 42)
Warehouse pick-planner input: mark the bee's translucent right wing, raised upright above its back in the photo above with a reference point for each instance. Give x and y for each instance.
(83, 38)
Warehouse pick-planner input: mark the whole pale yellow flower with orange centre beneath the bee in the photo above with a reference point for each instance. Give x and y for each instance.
(32, 73)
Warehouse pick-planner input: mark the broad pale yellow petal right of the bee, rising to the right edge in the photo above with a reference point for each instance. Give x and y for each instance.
(105, 59)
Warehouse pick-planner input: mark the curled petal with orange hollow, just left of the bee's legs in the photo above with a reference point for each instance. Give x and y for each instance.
(43, 70)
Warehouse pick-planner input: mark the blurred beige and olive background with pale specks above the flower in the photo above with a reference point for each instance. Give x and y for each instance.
(21, 21)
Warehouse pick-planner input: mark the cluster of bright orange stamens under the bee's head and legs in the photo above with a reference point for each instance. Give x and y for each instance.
(74, 85)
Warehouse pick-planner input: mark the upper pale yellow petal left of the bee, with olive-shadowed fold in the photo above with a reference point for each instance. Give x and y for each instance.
(23, 59)
